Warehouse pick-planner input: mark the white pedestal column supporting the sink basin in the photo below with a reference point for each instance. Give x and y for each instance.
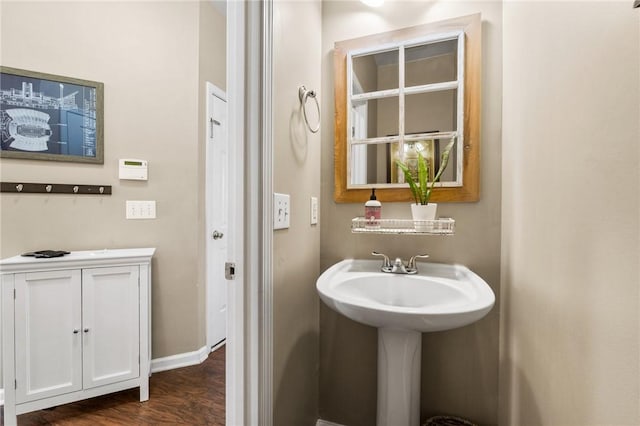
(399, 359)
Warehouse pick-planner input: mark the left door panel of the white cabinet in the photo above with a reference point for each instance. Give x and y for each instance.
(48, 341)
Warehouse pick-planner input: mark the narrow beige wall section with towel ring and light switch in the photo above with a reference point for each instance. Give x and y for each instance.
(296, 255)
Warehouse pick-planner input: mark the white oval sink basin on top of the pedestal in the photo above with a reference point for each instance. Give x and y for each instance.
(439, 297)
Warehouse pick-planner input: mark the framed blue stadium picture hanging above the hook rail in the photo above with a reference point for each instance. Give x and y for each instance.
(50, 117)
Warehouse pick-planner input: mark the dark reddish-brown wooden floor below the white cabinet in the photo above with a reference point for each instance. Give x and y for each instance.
(185, 396)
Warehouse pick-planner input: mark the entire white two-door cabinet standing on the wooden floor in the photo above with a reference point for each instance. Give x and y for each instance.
(74, 327)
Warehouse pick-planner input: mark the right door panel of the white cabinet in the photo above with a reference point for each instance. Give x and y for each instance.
(111, 325)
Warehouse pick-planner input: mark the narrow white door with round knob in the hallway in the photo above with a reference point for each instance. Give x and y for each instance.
(218, 208)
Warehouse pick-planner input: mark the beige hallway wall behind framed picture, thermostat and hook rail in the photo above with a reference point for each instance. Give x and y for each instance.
(147, 56)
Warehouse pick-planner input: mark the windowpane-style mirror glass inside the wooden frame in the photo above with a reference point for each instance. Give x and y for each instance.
(404, 103)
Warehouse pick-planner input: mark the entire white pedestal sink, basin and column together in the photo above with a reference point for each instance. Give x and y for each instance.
(439, 297)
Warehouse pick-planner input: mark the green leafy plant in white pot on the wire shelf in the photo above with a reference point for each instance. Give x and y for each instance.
(422, 210)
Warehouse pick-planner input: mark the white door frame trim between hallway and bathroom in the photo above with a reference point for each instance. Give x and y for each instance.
(249, 369)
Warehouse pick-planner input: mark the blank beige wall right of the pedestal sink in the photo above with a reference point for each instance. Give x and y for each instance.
(570, 233)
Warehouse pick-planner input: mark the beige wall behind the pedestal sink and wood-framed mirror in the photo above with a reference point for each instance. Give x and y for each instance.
(459, 367)
